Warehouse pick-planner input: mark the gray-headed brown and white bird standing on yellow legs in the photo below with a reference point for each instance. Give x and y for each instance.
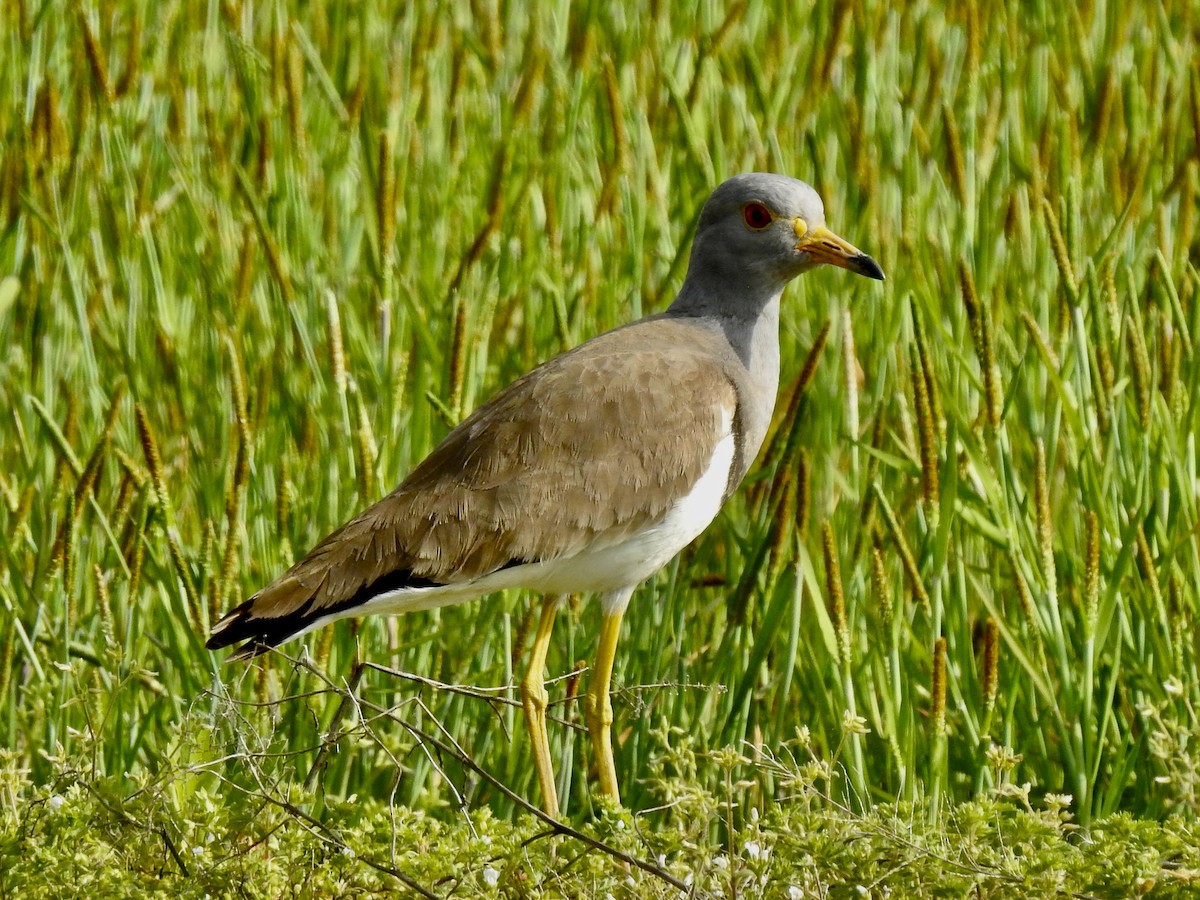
(587, 475)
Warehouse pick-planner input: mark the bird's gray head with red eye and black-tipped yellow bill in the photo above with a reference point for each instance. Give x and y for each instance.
(757, 233)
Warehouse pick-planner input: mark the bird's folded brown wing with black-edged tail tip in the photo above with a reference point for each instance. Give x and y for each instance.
(585, 451)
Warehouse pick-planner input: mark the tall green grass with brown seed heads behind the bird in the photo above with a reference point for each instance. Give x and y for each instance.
(304, 244)
